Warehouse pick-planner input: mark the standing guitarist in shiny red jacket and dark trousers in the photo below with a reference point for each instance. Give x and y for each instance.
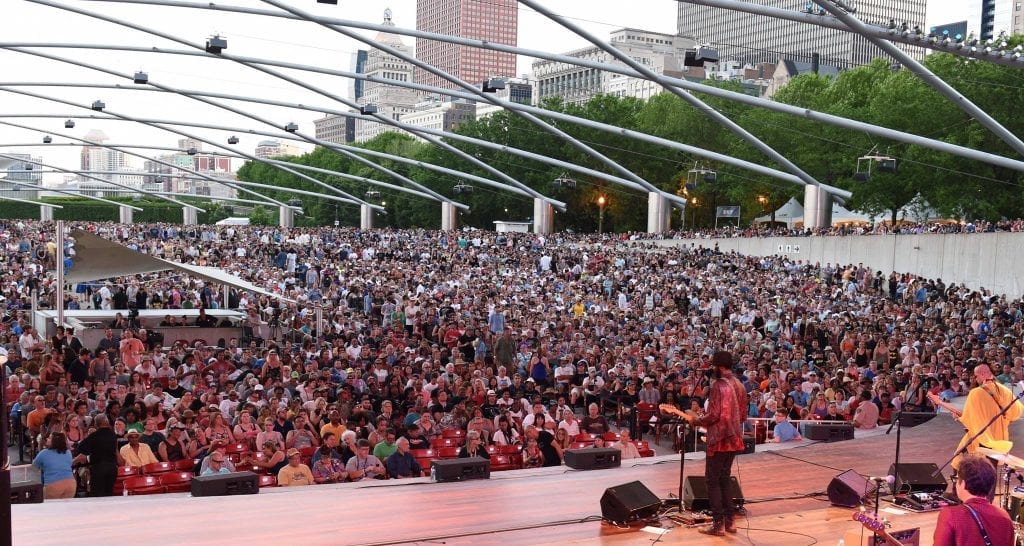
(724, 423)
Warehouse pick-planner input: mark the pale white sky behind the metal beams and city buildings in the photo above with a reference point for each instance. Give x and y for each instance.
(248, 35)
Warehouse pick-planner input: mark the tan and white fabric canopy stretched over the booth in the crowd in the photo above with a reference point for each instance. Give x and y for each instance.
(99, 259)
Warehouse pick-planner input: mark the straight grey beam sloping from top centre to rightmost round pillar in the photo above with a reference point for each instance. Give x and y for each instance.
(701, 106)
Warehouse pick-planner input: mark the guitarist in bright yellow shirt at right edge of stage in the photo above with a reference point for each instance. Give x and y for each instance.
(984, 403)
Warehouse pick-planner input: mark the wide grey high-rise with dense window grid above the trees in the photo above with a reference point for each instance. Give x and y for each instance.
(754, 39)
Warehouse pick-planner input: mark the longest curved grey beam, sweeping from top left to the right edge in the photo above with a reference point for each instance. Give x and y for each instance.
(839, 121)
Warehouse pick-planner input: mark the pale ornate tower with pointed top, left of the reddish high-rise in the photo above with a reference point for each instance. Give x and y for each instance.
(390, 101)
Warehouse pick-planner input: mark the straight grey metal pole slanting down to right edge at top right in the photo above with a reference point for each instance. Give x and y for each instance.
(930, 78)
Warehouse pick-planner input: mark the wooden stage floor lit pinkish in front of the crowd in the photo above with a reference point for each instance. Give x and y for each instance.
(542, 507)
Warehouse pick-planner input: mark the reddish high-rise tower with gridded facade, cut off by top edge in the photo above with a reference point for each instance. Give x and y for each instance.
(493, 21)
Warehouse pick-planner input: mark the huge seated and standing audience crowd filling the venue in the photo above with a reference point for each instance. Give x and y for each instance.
(510, 339)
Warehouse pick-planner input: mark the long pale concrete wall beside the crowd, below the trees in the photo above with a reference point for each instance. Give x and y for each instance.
(994, 262)
